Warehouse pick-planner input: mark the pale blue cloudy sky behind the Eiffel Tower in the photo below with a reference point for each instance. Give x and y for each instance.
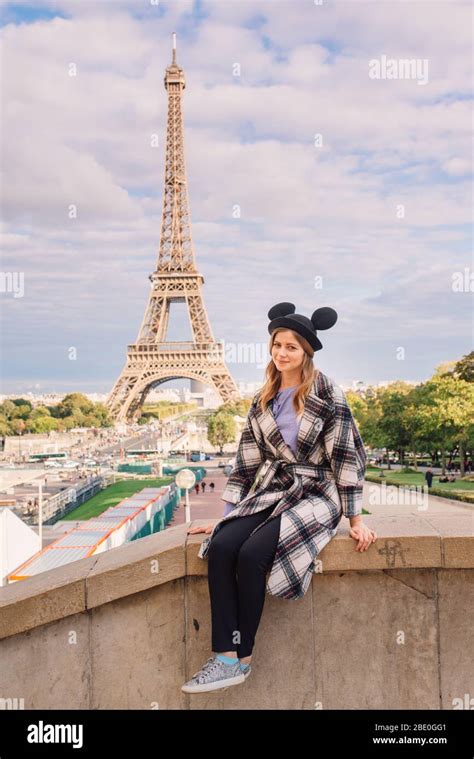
(372, 218)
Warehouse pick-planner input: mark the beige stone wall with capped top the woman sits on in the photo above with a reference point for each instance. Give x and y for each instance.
(390, 628)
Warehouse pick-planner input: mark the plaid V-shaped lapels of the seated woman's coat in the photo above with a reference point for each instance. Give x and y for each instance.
(316, 411)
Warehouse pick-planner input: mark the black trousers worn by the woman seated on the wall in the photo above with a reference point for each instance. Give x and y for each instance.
(237, 569)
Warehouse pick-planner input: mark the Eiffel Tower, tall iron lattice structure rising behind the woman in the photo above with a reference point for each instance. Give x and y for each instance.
(152, 360)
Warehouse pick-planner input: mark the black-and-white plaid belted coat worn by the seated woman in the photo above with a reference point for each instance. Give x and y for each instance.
(311, 490)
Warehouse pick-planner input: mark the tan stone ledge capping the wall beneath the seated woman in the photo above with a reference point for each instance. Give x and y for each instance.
(407, 542)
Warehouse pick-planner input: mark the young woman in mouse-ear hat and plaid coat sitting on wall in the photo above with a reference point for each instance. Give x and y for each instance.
(299, 468)
